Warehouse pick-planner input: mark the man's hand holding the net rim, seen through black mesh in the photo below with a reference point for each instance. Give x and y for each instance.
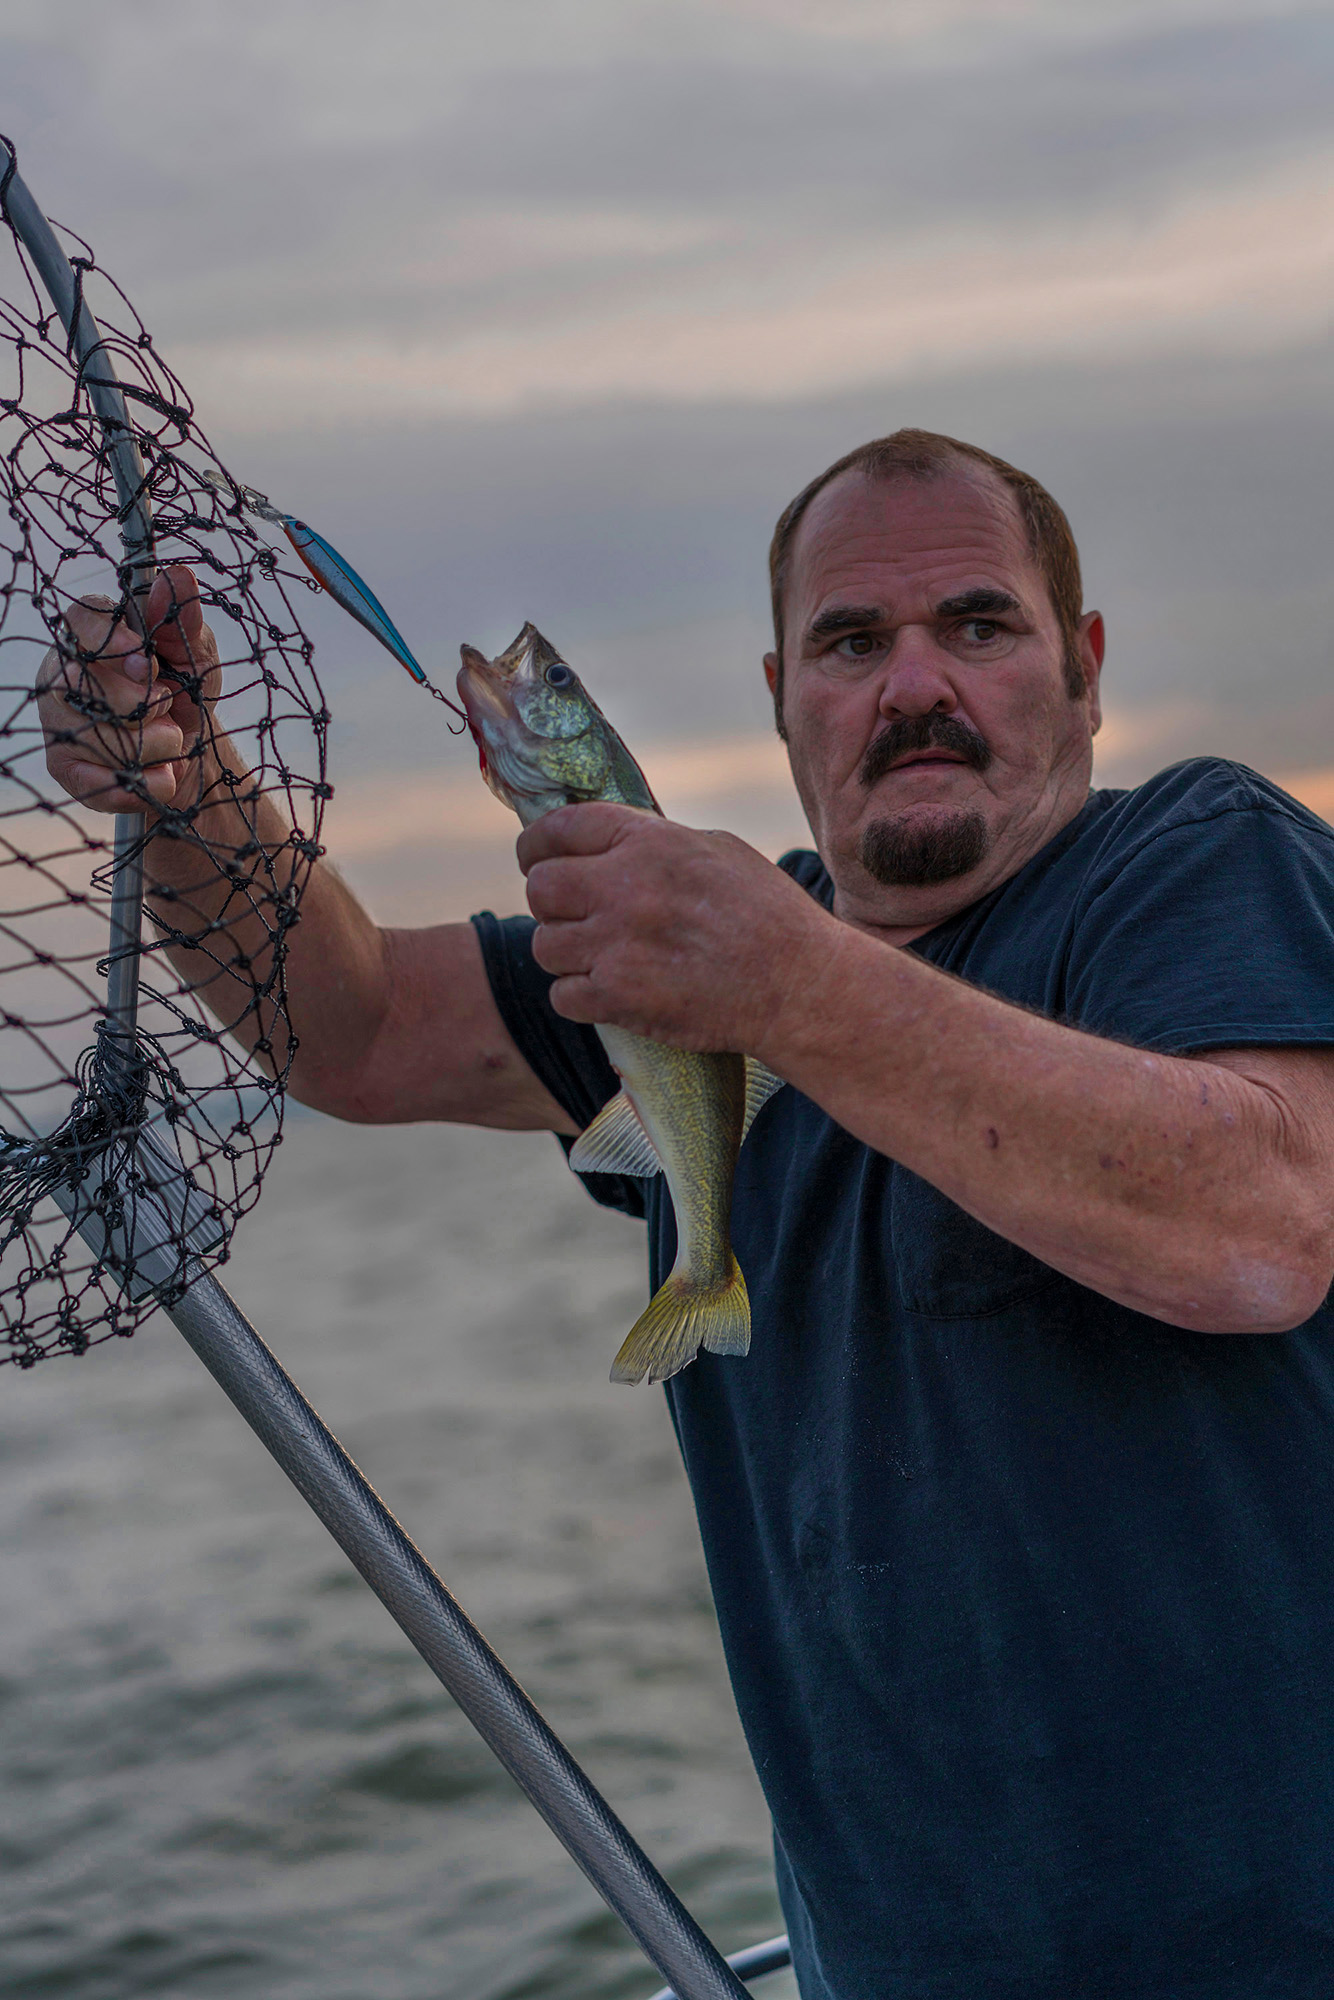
(109, 711)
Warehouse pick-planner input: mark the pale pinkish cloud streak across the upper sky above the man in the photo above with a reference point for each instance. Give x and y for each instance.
(1243, 271)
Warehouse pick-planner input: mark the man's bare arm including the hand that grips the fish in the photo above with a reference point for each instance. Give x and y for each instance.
(1195, 1191)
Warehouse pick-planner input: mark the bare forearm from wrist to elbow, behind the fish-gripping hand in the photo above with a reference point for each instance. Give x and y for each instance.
(1175, 1187)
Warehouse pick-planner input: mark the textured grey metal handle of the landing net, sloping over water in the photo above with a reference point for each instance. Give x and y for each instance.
(451, 1645)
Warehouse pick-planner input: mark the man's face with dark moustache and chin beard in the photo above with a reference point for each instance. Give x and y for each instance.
(933, 737)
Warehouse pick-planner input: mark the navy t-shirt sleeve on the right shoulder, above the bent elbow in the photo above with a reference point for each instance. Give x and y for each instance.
(1211, 933)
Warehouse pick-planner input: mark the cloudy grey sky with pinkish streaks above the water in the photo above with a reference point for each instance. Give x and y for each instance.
(545, 311)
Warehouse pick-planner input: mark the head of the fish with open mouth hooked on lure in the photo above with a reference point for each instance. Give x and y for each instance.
(541, 737)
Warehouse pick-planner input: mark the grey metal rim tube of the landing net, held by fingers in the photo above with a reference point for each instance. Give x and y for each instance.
(67, 293)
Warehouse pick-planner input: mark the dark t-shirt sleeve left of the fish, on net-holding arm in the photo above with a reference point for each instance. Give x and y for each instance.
(565, 1055)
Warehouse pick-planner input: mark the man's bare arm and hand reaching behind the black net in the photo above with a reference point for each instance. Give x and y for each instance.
(391, 1025)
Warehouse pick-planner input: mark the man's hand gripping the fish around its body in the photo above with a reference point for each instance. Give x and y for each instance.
(683, 937)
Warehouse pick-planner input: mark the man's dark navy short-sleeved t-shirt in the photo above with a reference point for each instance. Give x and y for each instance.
(1027, 1599)
